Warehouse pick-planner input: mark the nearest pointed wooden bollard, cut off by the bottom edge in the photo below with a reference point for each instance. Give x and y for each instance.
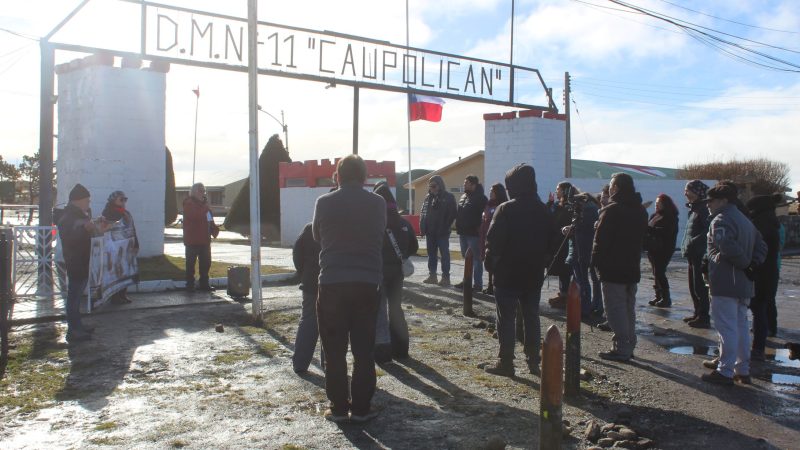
(550, 434)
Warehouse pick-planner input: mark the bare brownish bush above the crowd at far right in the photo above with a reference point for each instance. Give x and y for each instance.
(763, 175)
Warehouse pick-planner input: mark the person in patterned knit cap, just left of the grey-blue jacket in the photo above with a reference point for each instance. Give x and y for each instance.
(693, 249)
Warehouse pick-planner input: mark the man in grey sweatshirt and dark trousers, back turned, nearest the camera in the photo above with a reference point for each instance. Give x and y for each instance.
(349, 224)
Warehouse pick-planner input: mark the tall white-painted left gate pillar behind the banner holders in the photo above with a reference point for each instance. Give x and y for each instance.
(111, 137)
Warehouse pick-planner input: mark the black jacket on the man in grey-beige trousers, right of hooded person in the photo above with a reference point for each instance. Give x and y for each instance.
(617, 248)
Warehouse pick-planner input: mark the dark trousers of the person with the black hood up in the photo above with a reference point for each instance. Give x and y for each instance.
(507, 301)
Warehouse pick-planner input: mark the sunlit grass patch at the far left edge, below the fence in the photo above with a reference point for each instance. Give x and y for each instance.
(36, 373)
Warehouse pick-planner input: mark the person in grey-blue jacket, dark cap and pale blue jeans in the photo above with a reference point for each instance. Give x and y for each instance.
(735, 249)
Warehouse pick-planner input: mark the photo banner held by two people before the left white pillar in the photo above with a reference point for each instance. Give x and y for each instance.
(112, 263)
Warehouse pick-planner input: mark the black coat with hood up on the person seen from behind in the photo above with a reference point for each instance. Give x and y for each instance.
(521, 238)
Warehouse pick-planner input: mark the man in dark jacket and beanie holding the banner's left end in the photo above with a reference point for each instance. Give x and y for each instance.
(76, 229)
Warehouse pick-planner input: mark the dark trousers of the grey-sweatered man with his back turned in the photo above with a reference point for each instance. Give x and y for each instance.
(347, 313)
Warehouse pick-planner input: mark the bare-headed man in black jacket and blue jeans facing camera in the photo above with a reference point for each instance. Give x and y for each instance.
(468, 223)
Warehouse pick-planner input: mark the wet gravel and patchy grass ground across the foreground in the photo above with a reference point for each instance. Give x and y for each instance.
(164, 378)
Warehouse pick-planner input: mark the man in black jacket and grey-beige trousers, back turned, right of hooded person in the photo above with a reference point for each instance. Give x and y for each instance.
(616, 254)
